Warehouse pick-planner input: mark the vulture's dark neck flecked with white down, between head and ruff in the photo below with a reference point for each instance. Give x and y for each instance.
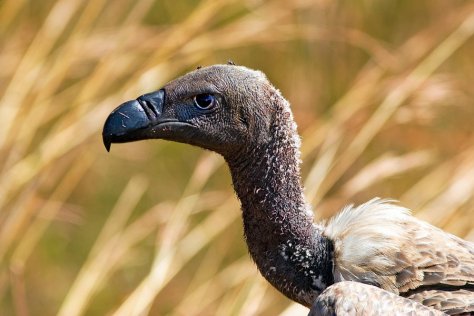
(287, 247)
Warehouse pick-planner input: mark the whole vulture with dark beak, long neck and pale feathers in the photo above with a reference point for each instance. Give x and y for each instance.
(375, 258)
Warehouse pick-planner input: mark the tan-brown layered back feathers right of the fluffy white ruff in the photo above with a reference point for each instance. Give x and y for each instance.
(442, 266)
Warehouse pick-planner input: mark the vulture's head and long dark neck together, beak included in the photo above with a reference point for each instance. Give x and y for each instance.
(237, 113)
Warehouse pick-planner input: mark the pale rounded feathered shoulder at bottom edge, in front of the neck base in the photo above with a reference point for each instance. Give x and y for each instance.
(353, 298)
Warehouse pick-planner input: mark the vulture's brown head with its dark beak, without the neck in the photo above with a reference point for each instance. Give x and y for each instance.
(224, 108)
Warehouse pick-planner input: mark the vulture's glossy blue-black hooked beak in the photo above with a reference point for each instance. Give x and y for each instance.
(131, 120)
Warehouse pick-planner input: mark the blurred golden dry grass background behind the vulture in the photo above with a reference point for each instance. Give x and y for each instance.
(382, 92)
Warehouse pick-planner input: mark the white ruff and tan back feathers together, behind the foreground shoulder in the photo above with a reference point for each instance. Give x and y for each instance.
(401, 254)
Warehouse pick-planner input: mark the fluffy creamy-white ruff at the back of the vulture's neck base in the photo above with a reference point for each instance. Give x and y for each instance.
(366, 238)
